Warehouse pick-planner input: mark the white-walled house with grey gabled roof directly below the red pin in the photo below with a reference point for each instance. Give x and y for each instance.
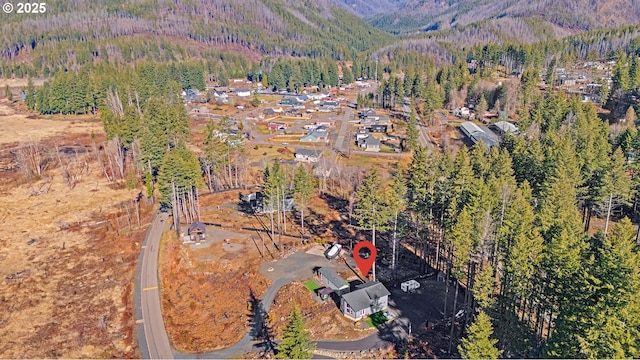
(368, 299)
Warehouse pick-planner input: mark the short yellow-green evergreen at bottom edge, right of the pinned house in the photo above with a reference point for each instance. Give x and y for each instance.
(478, 344)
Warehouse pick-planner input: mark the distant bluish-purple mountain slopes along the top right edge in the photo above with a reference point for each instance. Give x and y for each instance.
(556, 17)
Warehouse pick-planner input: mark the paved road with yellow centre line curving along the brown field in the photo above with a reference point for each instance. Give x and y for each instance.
(157, 341)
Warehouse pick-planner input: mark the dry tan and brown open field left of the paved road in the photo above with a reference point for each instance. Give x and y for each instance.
(66, 257)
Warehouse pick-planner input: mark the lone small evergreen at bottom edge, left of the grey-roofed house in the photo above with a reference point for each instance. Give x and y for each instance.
(296, 341)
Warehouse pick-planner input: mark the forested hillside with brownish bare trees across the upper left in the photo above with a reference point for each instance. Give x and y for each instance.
(74, 33)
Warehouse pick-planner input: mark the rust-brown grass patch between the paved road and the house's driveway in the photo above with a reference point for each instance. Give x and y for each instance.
(205, 302)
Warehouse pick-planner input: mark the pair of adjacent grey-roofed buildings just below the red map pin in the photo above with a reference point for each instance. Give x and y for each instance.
(366, 299)
